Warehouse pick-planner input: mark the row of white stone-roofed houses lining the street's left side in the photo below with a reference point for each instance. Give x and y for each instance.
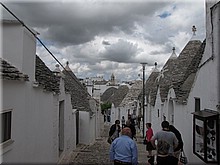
(41, 122)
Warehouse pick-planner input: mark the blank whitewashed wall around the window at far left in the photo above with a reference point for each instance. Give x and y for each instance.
(32, 126)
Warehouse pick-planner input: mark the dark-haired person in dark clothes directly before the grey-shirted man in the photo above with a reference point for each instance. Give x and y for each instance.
(163, 157)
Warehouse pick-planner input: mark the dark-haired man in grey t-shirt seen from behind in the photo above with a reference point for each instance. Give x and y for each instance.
(167, 135)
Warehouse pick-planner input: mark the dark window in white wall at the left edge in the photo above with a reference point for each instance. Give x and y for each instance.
(6, 126)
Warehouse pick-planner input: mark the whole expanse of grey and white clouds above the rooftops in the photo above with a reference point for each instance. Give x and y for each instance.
(70, 26)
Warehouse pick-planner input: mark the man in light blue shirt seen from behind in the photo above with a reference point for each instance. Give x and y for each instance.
(123, 150)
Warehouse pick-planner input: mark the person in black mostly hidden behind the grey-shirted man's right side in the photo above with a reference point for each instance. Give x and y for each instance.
(179, 147)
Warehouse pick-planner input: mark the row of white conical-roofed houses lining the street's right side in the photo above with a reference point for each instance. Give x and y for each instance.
(187, 85)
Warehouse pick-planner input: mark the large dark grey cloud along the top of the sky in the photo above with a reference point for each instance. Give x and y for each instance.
(76, 23)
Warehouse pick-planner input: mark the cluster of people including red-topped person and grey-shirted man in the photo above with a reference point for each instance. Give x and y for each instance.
(169, 144)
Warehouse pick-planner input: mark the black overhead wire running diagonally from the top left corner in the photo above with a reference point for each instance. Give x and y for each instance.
(22, 23)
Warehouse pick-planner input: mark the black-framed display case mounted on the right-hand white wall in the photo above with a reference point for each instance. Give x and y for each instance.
(205, 135)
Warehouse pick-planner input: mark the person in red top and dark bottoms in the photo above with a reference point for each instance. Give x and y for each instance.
(149, 134)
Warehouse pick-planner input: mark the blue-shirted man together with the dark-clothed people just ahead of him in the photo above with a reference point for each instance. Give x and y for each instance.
(123, 149)
